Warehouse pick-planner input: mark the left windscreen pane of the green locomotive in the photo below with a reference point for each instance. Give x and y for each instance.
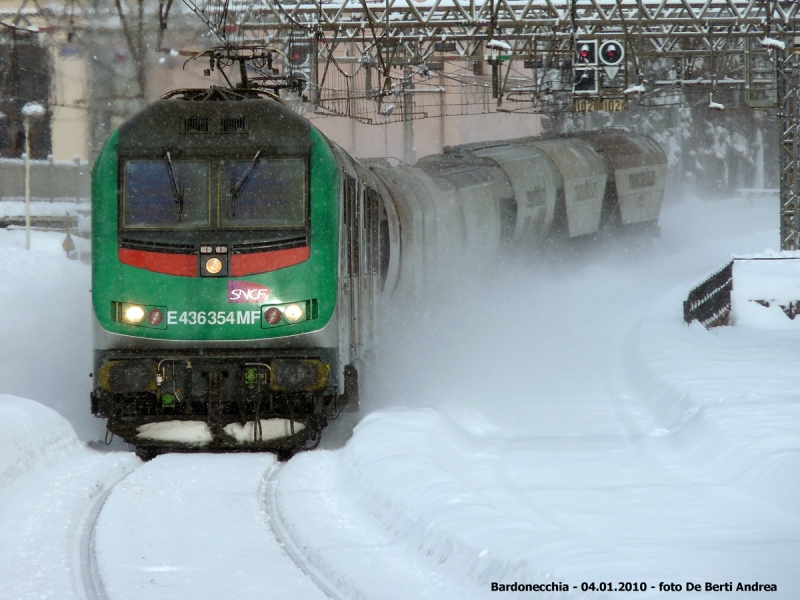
(161, 194)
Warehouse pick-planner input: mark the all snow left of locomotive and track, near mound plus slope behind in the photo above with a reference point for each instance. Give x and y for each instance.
(51, 484)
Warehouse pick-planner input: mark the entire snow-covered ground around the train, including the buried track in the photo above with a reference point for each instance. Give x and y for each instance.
(554, 423)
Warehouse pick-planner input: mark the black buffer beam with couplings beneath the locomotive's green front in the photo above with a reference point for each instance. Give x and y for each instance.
(138, 384)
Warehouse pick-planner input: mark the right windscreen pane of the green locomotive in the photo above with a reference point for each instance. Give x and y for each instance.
(263, 193)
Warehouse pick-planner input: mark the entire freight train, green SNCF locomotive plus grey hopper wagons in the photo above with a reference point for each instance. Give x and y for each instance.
(240, 257)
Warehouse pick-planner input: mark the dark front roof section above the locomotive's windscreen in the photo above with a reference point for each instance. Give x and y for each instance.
(215, 129)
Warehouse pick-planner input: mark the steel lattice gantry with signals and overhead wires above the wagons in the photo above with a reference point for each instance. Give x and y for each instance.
(545, 55)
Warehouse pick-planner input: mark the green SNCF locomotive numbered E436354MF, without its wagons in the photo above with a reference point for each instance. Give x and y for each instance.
(223, 257)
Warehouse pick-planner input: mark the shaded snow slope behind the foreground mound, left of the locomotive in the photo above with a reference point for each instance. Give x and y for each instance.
(46, 327)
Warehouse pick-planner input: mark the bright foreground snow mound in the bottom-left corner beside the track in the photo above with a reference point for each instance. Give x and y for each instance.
(50, 485)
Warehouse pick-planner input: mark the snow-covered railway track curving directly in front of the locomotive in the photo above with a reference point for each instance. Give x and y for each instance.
(192, 524)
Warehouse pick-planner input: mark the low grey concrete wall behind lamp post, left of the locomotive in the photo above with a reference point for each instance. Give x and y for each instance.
(50, 180)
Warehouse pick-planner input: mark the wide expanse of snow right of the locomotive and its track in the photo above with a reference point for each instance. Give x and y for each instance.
(582, 435)
